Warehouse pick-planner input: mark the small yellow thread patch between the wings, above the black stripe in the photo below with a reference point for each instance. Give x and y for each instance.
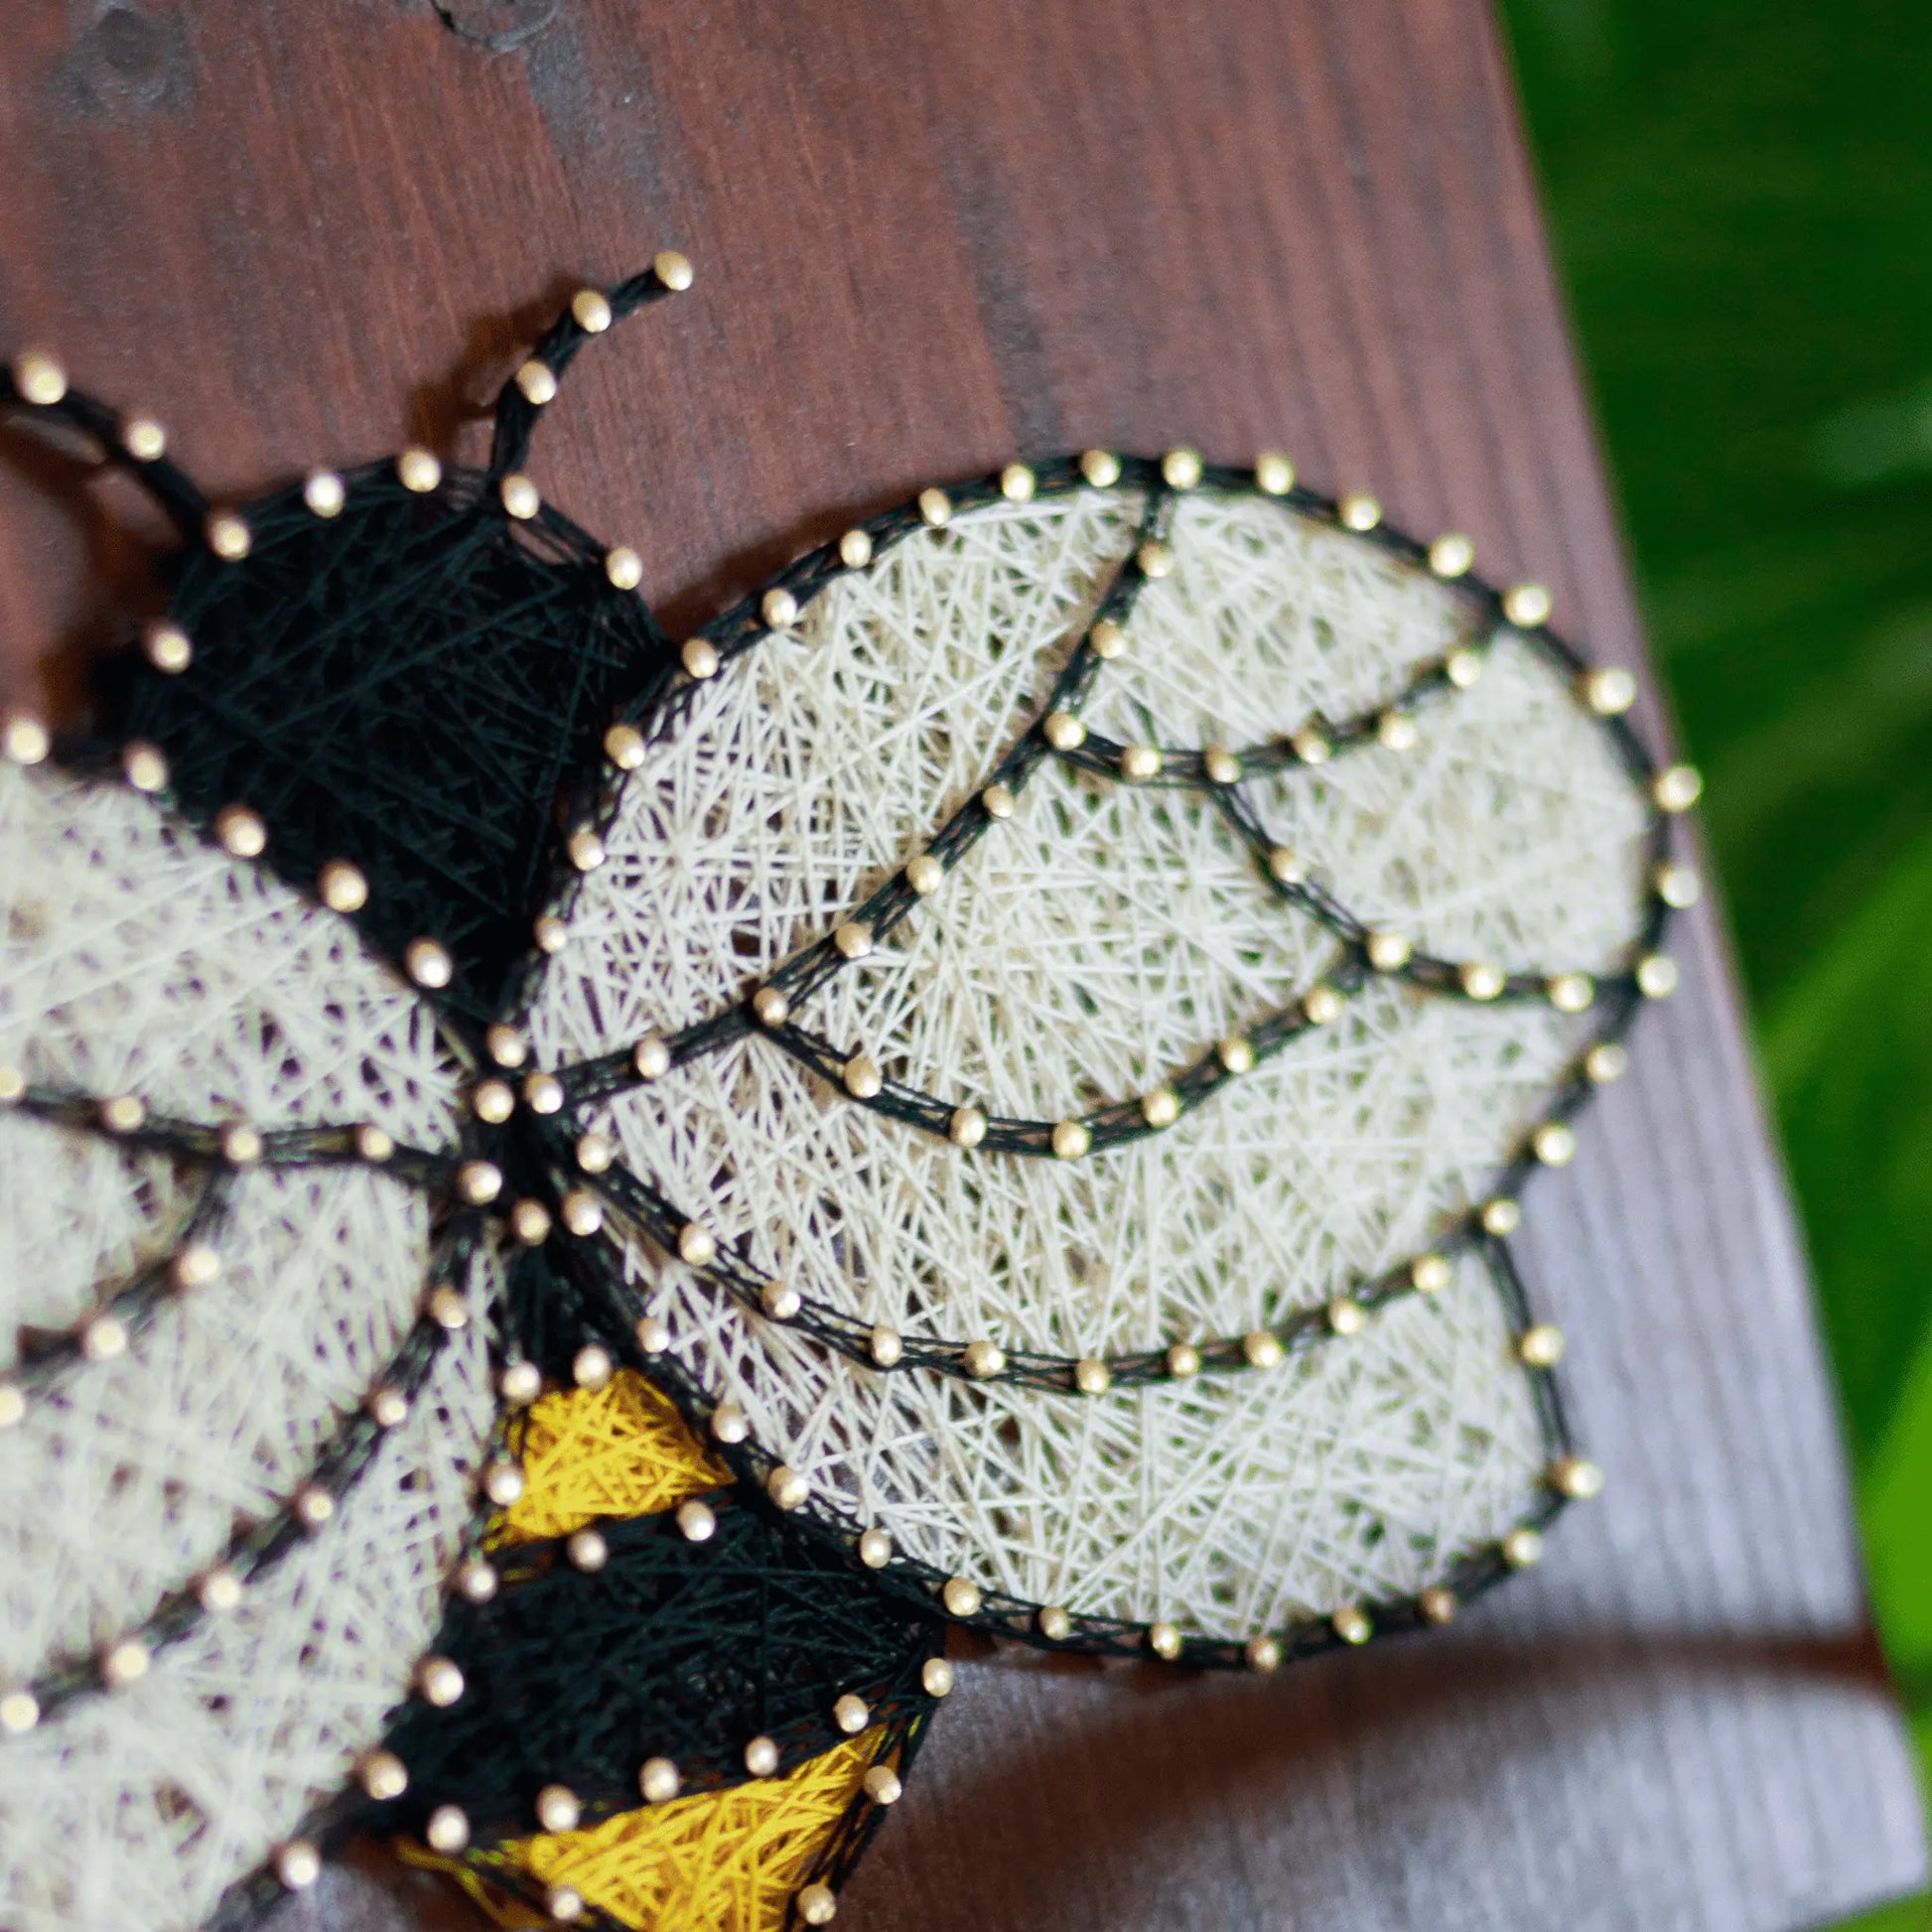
(613, 1452)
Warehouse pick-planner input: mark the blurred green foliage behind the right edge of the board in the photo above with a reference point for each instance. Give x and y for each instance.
(1740, 198)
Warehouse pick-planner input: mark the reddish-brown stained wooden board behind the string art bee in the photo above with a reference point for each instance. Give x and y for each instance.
(928, 239)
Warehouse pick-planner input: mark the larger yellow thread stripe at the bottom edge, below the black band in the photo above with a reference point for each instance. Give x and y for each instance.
(724, 1861)
